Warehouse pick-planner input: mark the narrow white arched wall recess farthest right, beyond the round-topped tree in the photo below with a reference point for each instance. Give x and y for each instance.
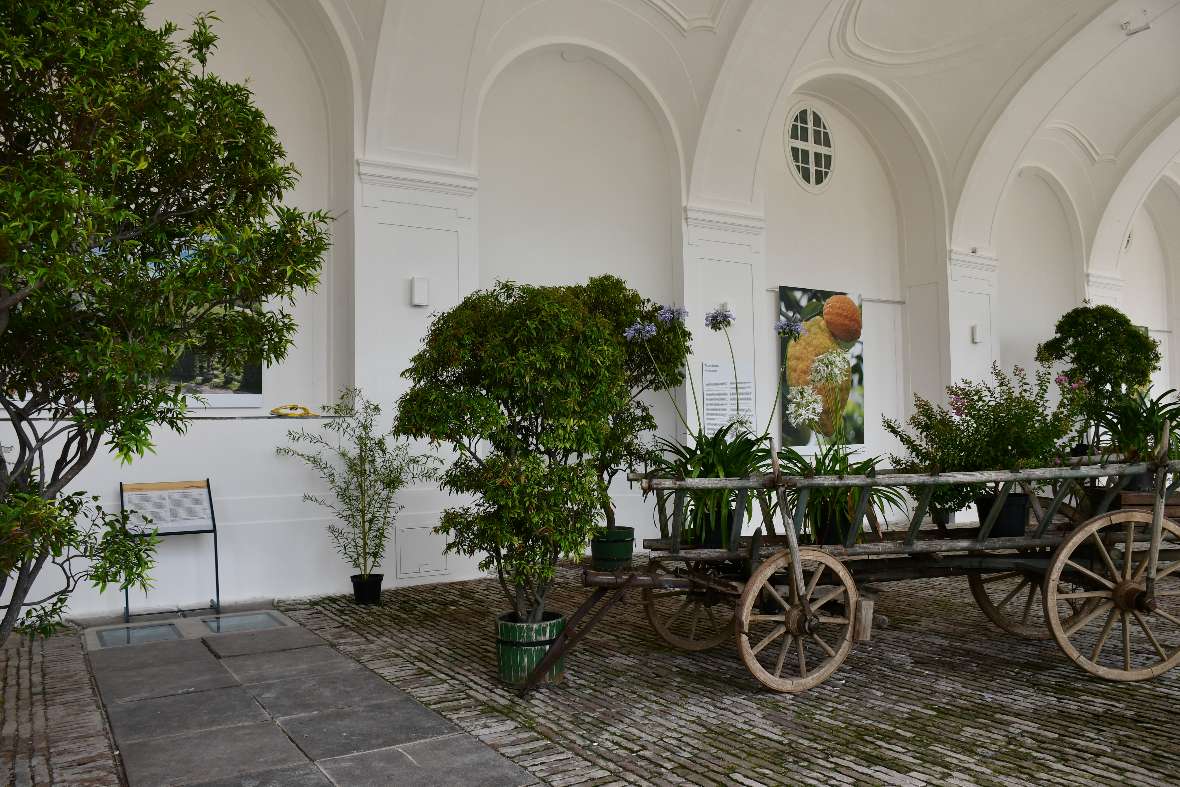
(1145, 296)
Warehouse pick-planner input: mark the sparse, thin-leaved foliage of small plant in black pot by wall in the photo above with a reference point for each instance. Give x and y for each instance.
(365, 470)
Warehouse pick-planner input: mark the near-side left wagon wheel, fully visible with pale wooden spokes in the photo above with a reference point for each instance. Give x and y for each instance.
(784, 648)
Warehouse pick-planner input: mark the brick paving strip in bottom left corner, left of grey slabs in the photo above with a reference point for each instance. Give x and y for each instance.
(51, 729)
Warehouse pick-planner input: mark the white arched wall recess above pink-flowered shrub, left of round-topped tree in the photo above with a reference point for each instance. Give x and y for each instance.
(1039, 271)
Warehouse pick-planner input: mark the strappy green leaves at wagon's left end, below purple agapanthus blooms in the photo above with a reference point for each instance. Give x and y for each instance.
(730, 452)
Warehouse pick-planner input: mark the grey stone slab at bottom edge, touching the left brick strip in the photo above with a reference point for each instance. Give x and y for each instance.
(220, 753)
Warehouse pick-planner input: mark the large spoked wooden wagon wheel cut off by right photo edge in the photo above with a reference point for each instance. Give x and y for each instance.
(1110, 556)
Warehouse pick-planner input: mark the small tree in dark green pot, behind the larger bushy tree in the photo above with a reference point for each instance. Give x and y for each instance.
(654, 365)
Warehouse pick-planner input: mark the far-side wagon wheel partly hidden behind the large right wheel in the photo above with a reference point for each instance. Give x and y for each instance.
(1012, 600)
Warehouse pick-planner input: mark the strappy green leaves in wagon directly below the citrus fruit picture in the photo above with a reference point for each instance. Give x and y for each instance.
(830, 511)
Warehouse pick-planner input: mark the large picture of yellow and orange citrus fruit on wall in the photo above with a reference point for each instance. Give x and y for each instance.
(832, 327)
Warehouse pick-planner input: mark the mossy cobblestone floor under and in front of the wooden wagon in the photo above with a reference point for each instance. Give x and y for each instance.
(940, 697)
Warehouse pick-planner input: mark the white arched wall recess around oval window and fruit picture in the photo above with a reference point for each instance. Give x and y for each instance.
(844, 238)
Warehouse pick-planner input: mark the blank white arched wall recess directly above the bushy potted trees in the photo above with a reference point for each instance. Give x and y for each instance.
(578, 179)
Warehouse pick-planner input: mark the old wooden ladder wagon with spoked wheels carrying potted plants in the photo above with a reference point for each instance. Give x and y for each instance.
(1105, 586)
